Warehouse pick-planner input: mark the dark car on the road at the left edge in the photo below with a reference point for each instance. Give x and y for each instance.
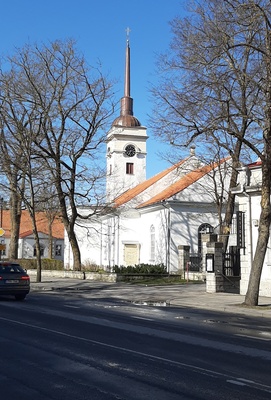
(14, 280)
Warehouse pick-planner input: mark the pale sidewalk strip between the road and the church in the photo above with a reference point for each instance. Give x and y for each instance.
(187, 295)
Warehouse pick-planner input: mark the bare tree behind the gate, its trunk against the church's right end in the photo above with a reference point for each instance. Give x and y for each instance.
(206, 92)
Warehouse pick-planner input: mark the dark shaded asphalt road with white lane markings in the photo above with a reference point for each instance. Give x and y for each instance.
(68, 346)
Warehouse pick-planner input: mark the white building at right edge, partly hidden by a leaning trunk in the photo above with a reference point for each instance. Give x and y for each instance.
(248, 198)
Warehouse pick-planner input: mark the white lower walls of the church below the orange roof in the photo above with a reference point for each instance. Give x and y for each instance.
(156, 231)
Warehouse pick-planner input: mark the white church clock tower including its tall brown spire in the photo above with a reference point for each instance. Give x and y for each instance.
(126, 145)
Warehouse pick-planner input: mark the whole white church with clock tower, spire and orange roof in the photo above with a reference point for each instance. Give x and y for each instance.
(148, 219)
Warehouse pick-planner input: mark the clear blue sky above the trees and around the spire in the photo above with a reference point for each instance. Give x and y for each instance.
(99, 27)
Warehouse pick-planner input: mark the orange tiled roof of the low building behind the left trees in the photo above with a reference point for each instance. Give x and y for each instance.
(26, 224)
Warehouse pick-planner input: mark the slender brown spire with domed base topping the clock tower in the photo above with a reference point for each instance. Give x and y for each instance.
(126, 118)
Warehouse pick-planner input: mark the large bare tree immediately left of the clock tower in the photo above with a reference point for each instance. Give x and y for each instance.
(69, 105)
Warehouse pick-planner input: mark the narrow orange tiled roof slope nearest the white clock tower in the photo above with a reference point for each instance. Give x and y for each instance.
(141, 187)
